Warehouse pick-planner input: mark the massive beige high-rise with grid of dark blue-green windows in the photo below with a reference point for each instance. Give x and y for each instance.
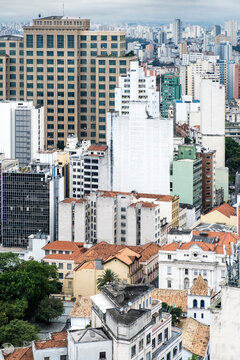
(72, 71)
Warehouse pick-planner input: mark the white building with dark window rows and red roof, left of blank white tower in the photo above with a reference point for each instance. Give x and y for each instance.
(89, 170)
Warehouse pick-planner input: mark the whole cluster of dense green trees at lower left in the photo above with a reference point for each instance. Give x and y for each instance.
(25, 287)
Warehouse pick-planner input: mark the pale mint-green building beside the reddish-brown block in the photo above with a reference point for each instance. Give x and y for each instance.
(186, 177)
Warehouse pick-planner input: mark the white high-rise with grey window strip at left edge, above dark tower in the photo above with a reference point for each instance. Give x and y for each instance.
(21, 130)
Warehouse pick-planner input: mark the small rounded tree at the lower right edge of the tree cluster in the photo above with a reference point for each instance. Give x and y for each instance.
(49, 308)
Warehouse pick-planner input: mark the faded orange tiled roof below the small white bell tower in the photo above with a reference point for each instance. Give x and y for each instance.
(195, 336)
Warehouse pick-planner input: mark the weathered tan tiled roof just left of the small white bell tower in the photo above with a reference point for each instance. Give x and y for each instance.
(172, 297)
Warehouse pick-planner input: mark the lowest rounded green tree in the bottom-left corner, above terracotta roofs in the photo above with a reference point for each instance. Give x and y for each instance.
(17, 332)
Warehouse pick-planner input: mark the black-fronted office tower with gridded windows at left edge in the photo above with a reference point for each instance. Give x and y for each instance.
(26, 206)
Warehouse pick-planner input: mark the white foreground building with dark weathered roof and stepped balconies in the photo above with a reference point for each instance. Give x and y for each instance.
(139, 327)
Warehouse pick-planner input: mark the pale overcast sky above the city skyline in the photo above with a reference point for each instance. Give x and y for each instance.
(161, 11)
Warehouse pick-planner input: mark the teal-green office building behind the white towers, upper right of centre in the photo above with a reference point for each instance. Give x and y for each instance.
(170, 91)
